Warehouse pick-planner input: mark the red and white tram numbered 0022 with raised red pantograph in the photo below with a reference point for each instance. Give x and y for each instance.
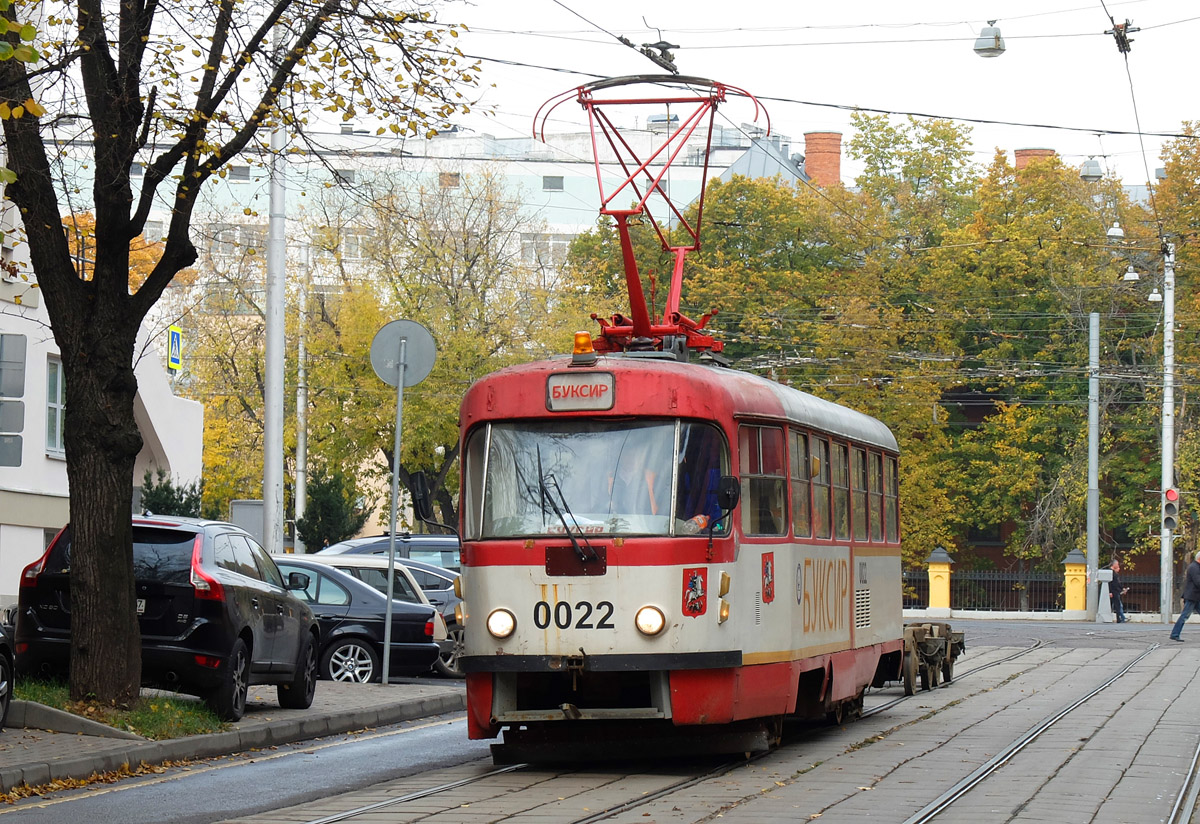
(657, 546)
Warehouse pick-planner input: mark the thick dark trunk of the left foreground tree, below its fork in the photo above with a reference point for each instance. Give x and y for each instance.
(103, 442)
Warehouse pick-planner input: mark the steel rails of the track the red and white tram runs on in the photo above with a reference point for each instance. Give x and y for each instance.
(647, 797)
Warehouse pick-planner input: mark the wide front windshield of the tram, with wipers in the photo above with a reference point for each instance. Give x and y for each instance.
(595, 478)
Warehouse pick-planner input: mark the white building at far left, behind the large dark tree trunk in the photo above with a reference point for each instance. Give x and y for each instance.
(34, 495)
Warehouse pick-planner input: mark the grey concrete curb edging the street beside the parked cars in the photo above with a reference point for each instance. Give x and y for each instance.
(255, 737)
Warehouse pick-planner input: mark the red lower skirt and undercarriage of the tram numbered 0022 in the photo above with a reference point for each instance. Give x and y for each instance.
(584, 715)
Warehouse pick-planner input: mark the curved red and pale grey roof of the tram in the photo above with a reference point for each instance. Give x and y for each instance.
(739, 394)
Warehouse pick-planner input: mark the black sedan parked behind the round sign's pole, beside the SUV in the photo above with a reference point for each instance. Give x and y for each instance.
(351, 616)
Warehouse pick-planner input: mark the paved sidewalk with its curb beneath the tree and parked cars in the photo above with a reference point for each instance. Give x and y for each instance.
(40, 745)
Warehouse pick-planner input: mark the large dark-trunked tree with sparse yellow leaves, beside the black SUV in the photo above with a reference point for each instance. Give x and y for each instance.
(181, 101)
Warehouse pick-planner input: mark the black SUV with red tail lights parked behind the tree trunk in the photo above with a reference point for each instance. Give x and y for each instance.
(215, 614)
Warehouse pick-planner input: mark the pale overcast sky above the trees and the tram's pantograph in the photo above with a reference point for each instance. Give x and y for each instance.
(807, 59)
